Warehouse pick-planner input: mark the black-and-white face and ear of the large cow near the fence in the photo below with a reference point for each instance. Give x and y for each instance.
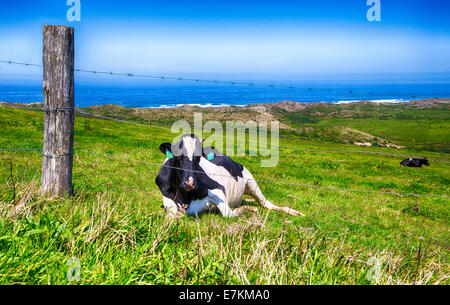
(186, 154)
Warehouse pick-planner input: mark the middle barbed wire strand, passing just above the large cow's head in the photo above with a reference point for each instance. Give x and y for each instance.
(77, 109)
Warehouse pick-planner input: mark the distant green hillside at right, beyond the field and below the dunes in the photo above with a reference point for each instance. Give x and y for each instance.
(420, 125)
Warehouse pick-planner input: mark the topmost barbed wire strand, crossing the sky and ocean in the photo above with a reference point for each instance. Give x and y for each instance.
(216, 81)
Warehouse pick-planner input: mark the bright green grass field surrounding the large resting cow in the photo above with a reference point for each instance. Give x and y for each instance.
(115, 226)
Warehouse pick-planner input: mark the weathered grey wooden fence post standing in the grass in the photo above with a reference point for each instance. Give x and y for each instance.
(58, 90)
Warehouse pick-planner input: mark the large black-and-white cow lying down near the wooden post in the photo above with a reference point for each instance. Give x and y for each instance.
(196, 179)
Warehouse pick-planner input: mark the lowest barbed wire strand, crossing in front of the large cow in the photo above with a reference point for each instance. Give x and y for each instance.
(247, 179)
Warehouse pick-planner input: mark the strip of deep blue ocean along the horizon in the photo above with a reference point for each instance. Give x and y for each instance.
(171, 93)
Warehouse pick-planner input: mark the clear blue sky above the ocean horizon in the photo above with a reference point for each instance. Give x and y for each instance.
(253, 37)
